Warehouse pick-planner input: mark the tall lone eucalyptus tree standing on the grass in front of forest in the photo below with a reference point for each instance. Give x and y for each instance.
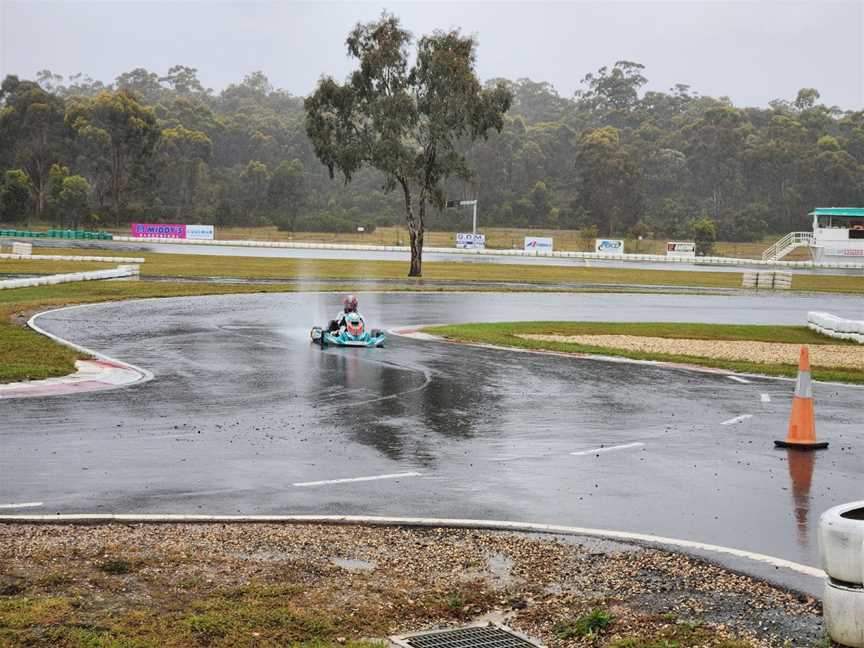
(408, 121)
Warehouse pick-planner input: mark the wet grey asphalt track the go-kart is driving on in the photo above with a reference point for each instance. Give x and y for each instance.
(243, 408)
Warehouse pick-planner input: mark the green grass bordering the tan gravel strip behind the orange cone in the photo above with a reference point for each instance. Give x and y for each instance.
(507, 334)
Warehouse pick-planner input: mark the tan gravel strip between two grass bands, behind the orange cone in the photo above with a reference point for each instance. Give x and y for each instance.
(823, 355)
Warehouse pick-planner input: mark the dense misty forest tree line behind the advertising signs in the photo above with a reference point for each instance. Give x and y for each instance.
(613, 158)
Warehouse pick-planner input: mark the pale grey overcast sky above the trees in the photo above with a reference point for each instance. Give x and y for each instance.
(750, 51)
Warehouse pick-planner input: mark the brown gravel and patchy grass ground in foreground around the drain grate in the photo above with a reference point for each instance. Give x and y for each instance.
(357, 582)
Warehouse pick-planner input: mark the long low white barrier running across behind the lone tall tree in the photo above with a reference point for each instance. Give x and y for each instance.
(588, 256)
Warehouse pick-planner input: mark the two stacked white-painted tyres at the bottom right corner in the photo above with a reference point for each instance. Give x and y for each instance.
(841, 545)
